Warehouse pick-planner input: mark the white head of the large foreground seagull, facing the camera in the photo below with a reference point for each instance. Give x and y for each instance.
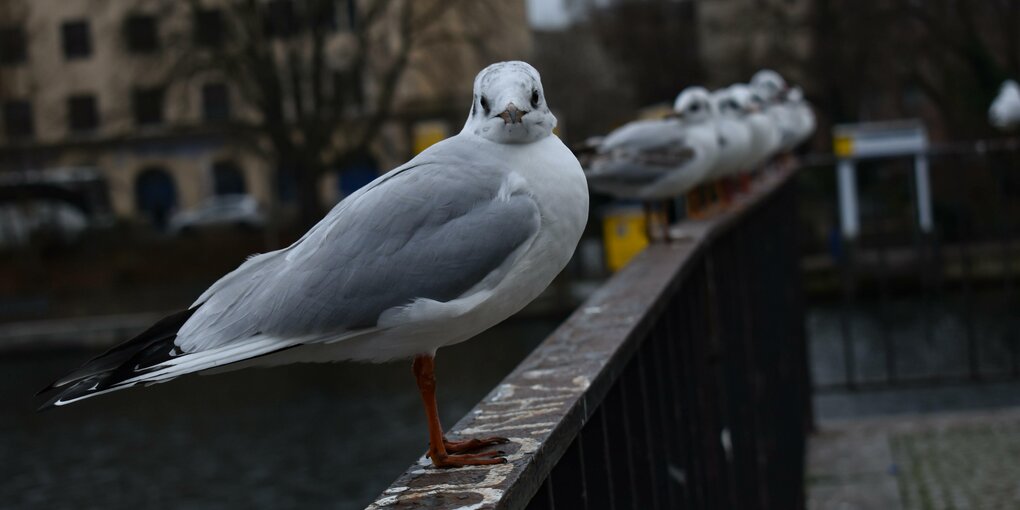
(509, 106)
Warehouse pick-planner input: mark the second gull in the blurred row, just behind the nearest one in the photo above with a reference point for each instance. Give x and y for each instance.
(735, 135)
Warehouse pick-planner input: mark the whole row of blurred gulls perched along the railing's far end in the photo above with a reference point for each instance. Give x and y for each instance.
(709, 136)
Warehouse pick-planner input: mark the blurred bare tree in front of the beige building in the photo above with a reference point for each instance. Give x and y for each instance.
(320, 78)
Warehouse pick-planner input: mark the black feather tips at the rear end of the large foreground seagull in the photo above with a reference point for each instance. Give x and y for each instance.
(108, 372)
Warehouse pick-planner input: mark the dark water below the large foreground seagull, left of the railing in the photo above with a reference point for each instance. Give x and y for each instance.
(309, 436)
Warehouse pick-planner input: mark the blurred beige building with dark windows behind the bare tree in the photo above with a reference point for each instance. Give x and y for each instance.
(170, 105)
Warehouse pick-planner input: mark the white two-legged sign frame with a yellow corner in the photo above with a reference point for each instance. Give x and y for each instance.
(881, 140)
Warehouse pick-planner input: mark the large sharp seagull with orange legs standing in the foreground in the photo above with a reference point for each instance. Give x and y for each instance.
(431, 254)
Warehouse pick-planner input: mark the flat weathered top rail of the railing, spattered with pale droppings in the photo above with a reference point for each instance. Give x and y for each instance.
(544, 403)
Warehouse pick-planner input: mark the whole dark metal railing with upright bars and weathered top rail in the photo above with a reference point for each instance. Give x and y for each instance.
(682, 384)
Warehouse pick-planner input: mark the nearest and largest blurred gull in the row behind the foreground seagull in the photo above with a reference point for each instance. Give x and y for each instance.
(660, 159)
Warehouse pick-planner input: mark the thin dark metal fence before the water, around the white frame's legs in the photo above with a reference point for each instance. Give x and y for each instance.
(909, 308)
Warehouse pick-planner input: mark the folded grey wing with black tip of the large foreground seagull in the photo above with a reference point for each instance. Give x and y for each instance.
(433, 229)
